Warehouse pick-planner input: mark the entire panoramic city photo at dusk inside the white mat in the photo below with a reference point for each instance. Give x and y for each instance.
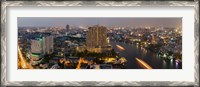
(99, 43)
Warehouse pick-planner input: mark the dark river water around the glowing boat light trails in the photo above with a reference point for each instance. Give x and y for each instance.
(132, 51)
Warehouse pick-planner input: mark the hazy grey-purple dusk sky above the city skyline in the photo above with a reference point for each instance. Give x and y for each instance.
(90, 21)
